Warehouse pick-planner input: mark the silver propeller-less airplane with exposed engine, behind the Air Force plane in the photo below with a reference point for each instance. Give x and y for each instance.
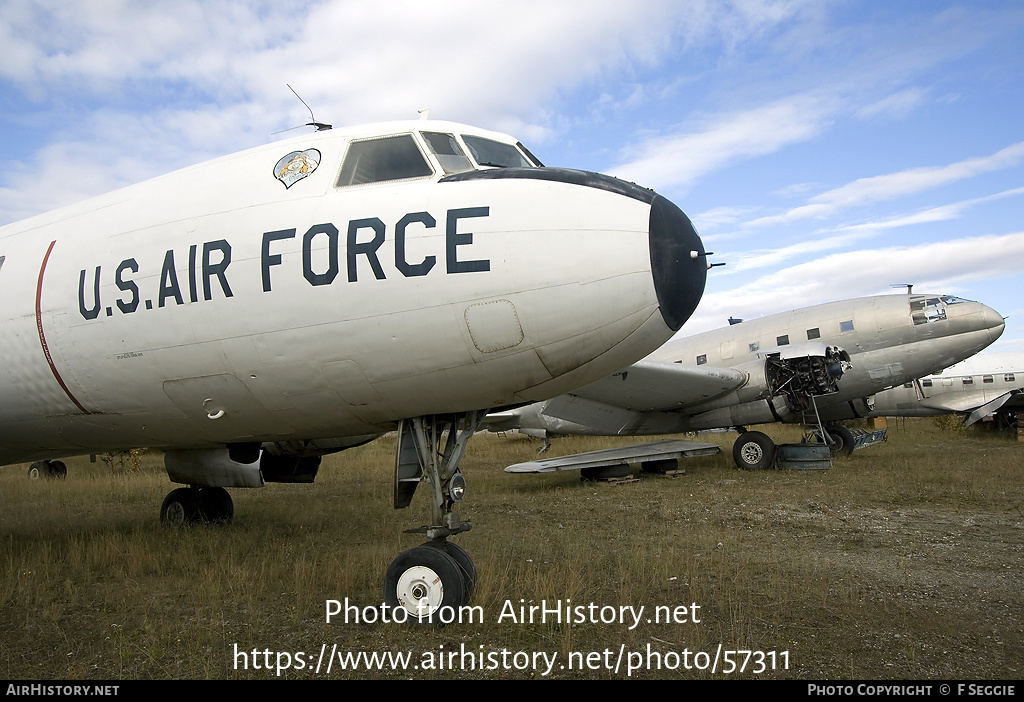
(812, 366)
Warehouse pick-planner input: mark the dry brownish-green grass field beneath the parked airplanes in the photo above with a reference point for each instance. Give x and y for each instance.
(905, 561)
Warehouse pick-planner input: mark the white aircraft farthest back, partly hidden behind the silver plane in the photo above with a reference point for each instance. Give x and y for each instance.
(984, 386)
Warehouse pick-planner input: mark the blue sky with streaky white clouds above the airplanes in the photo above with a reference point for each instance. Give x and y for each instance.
(823, 150)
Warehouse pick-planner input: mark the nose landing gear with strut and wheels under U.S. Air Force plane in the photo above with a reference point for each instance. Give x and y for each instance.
(430, 582)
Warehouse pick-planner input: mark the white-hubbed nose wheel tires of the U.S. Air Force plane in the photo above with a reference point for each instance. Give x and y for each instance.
(428, 584)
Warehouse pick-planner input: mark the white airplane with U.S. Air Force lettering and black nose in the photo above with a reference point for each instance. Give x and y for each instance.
(250, 315)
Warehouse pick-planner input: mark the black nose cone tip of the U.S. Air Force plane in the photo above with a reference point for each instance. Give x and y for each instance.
(678, 262)
